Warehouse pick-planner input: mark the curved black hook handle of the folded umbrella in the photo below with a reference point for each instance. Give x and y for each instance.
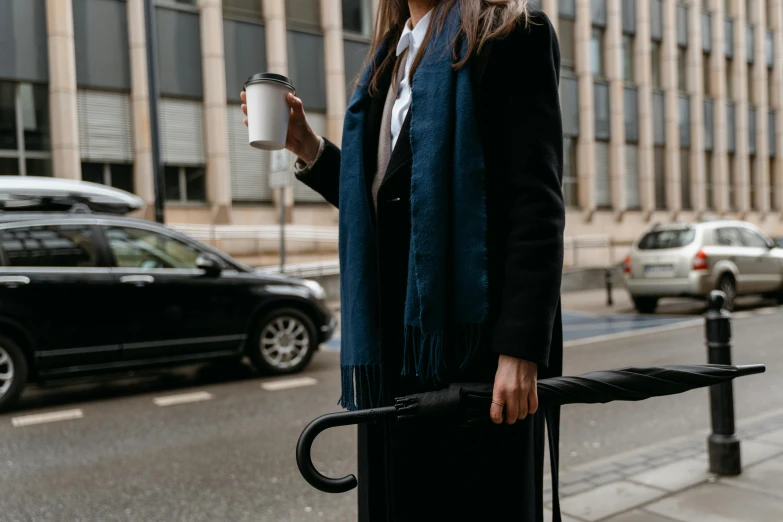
(304, 460)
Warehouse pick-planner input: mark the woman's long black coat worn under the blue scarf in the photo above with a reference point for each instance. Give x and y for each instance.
(471, 473)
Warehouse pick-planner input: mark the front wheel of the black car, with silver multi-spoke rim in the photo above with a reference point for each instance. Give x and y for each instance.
(283, 342)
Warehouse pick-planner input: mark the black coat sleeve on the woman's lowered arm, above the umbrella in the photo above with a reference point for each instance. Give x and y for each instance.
(528, 62)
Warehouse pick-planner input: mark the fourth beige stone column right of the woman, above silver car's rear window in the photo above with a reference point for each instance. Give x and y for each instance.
(669, 78)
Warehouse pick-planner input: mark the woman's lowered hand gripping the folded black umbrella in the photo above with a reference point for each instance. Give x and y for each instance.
(516, 390)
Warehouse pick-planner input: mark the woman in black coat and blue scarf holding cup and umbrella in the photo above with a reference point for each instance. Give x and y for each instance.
(451, 225)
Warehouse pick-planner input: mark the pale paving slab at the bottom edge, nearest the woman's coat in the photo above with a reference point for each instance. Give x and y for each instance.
(608, 500)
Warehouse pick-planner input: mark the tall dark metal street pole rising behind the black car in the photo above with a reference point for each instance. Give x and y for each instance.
(152, 85)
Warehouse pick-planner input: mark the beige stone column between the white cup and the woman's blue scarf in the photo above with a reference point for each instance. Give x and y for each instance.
(334, 61)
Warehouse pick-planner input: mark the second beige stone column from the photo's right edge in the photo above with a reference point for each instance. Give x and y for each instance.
(762, 108)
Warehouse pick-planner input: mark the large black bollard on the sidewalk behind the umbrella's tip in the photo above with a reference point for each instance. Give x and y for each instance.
(723, 443)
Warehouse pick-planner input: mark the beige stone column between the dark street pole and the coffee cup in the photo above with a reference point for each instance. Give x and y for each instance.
(213, 65)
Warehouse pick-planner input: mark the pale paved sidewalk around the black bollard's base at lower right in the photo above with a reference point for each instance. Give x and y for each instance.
(671, 482)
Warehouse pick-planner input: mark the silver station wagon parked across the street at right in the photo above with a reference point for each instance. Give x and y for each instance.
(690, 260)
